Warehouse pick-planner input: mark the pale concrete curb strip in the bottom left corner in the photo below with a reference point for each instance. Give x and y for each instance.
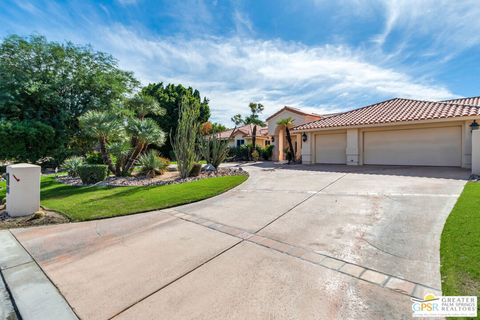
(33, 294)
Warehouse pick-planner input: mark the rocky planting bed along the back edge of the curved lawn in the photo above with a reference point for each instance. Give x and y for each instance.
(165, 179)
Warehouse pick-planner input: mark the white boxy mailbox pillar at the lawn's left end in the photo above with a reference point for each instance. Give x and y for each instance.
(23, 189)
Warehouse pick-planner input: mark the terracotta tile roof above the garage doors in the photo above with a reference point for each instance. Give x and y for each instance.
(394, 110)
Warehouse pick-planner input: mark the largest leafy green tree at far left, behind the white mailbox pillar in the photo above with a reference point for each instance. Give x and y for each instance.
(55, 83)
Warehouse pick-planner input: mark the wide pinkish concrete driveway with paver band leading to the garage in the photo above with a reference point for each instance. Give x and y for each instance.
(293, 242)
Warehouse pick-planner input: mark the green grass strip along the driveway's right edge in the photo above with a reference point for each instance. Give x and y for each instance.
(460, 246)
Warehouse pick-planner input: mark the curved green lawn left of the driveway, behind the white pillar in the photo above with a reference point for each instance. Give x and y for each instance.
(87, 203)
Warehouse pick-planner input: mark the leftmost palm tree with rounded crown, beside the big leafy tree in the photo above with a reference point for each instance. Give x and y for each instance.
(103, 126)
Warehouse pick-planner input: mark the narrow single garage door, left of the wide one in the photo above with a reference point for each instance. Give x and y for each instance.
(331, 148)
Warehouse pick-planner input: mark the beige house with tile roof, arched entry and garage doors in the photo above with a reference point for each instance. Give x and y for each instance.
(393, 132)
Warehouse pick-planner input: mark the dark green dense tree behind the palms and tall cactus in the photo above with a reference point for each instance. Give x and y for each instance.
(170, 97)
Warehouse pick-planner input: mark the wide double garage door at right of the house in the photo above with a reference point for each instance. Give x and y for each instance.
(424, 147)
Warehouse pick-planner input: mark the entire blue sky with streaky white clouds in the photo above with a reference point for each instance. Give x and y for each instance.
(318, 55)
